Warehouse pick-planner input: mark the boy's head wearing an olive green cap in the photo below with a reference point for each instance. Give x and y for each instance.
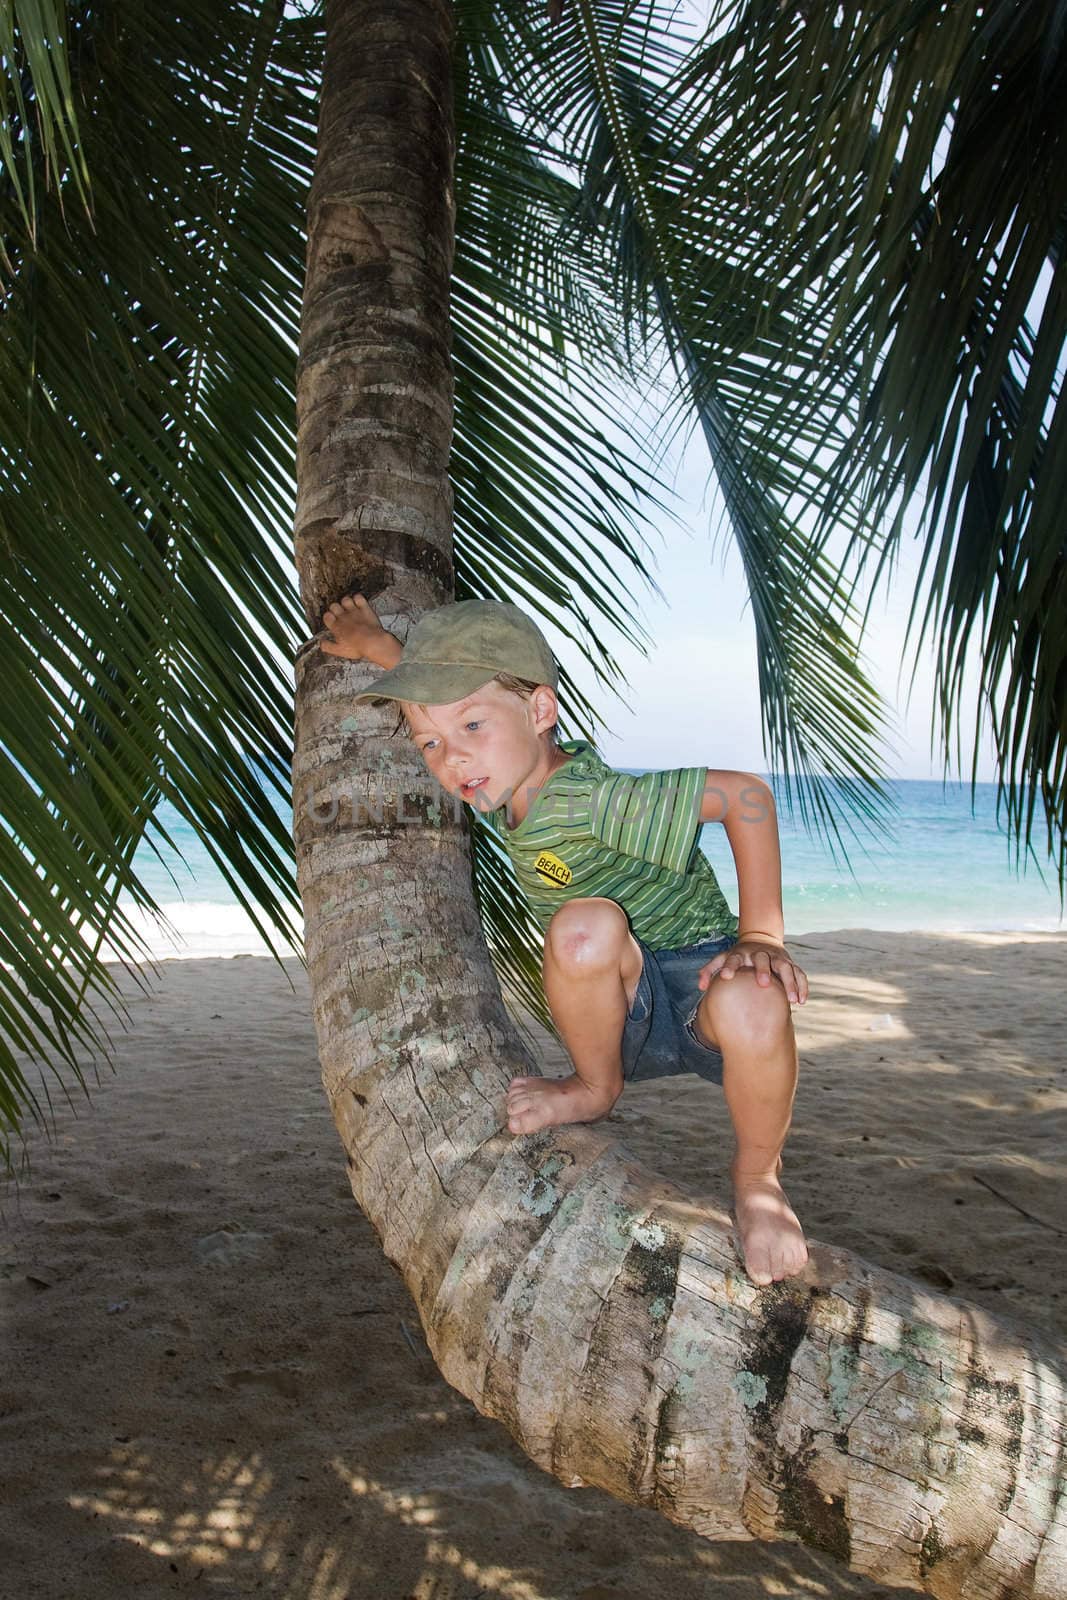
(478, 687)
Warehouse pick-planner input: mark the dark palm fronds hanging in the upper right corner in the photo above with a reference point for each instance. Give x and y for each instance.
(917, 207)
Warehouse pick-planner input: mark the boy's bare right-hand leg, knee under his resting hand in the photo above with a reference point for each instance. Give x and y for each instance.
(753, 1028)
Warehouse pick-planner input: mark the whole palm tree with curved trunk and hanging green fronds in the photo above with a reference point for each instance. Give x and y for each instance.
(583, 1302)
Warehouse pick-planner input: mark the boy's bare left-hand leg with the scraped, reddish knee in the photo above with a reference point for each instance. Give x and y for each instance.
(593, 966)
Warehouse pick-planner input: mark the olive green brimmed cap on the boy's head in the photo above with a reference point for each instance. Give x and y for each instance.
(457, 649)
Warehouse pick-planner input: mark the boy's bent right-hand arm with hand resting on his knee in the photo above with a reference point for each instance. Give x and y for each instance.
(746, 809)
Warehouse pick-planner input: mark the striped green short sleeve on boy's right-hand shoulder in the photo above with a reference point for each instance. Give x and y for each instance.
(653, 817)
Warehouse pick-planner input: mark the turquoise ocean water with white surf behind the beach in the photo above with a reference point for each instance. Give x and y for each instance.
(943, 868)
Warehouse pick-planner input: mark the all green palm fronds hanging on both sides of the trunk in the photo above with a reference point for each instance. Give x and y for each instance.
(818, 233)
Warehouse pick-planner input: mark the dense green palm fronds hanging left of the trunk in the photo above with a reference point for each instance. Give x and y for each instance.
(146, 382)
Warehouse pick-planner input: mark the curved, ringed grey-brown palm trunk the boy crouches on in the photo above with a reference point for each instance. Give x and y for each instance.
(570, 1294)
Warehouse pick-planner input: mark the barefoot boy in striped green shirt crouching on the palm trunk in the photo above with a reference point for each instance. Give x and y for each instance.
(645, 970)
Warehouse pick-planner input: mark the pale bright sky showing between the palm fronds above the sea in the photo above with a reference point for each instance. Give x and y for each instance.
(695, 698)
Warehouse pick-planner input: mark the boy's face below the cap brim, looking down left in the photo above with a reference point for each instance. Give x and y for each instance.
(492, 735)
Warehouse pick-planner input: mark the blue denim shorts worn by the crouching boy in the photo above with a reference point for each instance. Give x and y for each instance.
(658, 1039)
